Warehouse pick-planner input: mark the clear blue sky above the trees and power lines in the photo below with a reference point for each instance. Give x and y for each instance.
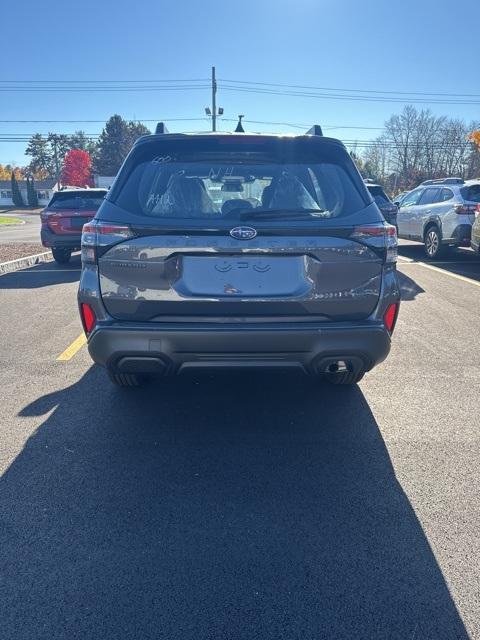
(411, 46)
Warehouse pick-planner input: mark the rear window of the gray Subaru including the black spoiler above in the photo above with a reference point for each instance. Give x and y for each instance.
(217, 178)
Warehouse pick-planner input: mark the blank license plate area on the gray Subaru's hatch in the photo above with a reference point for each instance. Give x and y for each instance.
(239, 276)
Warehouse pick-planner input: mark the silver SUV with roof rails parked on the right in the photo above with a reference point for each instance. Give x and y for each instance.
(439, 213)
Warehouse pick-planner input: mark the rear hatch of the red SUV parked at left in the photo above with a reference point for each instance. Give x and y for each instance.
(68, 211)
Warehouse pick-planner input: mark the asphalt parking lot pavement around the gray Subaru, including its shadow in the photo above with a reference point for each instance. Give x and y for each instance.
(242, 506)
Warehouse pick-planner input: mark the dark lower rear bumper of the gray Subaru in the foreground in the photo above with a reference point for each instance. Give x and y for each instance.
(171, 349)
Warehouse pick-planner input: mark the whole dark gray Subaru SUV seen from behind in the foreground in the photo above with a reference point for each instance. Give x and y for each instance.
(236, 250)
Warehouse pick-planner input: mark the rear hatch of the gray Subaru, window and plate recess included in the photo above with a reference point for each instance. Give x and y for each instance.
(240, 232)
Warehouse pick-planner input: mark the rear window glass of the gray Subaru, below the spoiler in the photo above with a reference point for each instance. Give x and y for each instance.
(227, 186)
